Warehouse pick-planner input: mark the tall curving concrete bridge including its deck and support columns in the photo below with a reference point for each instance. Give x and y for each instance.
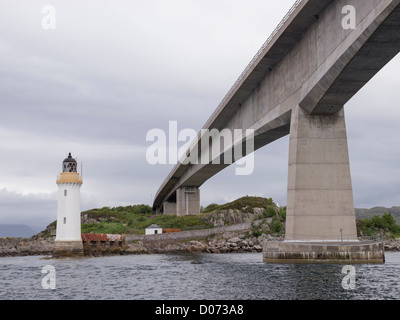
(319, 57)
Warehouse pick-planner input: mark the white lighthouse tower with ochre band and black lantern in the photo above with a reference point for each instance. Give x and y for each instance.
(68, 241)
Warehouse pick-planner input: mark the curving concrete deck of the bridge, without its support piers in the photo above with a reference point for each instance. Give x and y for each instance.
(277, 79)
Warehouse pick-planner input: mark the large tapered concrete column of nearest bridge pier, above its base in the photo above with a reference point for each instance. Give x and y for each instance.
(320, 205)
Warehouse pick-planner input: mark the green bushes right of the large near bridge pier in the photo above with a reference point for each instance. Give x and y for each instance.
(378, 225)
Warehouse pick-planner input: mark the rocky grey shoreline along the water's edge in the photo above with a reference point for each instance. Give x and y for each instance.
(11, 247)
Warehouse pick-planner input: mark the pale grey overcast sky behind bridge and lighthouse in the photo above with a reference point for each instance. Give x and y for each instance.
(113, 70)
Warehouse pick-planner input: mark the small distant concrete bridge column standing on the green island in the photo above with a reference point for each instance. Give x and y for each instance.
(188, 201)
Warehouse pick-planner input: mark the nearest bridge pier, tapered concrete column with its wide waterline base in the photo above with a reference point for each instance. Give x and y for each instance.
(320, 217)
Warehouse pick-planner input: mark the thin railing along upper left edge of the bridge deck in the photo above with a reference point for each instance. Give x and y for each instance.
(253, 61)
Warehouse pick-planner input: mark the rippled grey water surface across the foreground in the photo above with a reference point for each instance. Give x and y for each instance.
(194, 277)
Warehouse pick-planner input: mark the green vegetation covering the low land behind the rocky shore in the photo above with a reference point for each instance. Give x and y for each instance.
(134, 219)
